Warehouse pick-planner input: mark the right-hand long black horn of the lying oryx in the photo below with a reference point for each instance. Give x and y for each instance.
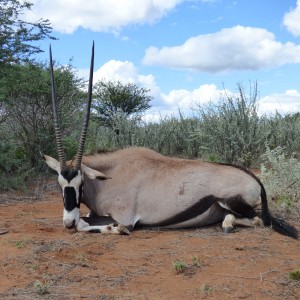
(87, 116)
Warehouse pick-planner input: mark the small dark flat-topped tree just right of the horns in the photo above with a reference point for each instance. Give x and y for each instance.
(115, 100)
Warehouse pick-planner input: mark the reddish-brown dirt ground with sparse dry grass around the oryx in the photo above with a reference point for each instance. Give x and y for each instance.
(39, 259)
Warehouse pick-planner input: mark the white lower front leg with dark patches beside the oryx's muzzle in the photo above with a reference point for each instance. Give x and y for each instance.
(104, 229)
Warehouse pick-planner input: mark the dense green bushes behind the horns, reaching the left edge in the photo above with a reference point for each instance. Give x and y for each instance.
(27, 129)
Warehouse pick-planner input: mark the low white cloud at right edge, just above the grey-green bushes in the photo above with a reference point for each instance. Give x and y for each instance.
(288, 102)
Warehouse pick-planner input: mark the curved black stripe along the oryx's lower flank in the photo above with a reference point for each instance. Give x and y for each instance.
(192, 212)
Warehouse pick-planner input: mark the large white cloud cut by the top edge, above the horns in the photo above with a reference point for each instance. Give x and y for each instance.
(99, 15)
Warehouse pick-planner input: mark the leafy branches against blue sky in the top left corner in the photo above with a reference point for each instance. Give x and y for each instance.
(16, 35)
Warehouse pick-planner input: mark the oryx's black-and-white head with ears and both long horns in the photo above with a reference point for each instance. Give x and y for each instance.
(70, 175)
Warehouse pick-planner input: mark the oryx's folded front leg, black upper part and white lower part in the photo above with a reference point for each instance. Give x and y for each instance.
(103, 226)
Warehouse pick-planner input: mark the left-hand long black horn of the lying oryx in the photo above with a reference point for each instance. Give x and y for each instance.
(60, 149)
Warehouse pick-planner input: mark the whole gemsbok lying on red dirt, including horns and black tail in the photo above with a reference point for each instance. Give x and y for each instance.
(142, 187)
